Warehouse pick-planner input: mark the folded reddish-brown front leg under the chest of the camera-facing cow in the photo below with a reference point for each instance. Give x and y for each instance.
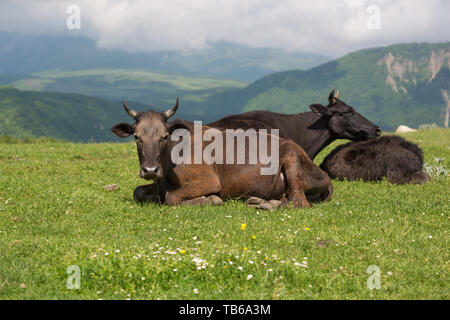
(195, 191)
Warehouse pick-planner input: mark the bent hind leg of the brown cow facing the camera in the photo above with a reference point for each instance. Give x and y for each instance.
(295, 178)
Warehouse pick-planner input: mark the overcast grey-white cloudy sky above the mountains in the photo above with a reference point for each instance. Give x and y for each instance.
(327, 27)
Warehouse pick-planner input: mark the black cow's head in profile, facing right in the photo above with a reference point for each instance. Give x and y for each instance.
(344, 122)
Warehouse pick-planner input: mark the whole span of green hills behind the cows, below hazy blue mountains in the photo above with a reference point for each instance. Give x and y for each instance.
(399, 84)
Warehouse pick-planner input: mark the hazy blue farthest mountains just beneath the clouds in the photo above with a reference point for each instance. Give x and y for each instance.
(25, 54)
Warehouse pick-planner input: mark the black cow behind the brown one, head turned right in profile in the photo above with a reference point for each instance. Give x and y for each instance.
(312, 131)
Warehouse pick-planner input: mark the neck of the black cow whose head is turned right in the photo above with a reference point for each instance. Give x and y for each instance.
(312, 133)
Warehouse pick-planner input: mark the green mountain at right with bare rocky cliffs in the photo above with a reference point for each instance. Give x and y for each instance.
(400, 84)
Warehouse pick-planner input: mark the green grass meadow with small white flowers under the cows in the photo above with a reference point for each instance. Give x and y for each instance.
(55, 212)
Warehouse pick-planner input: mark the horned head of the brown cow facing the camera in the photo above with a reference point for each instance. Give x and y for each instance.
(151, 132)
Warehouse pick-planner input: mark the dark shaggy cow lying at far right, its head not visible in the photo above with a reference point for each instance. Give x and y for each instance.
(392, 157)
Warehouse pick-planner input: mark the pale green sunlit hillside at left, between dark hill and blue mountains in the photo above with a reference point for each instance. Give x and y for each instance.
(144, 86)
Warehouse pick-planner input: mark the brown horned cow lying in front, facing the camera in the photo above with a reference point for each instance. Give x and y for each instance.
(175, 184)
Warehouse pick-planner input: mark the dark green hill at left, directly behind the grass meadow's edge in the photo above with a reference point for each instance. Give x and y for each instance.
(60, 115)
